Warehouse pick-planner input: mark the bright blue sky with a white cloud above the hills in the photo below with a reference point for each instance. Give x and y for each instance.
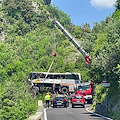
(86, 11)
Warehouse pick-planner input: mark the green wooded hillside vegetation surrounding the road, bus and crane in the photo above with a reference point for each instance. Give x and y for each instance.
(27, 41)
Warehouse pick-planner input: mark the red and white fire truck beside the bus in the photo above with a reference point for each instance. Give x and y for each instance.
(87, 90)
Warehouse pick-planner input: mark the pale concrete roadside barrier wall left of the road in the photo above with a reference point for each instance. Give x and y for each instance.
(40, 113)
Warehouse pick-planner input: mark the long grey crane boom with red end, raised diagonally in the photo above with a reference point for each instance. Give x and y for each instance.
(73, 40)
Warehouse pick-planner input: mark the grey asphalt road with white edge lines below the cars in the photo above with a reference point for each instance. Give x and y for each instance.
(77, 113)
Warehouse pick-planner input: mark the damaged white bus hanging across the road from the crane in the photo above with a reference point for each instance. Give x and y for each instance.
(61, 82)
